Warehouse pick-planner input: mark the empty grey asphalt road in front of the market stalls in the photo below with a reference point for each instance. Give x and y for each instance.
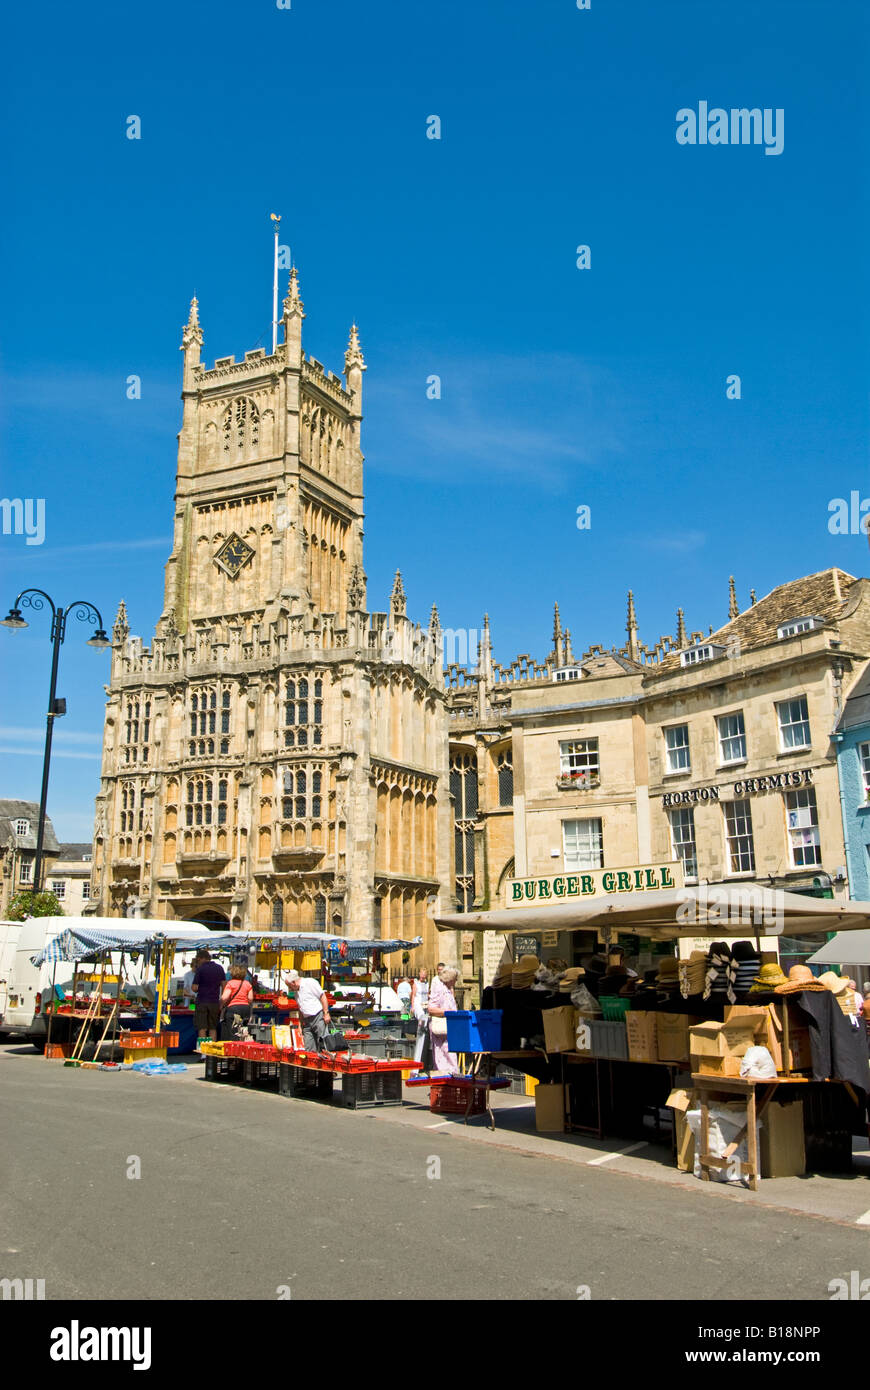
(244, 1195)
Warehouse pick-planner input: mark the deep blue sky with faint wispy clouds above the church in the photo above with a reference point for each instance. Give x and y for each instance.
(457, 258)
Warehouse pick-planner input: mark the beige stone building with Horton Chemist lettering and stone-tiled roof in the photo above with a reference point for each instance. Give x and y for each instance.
(743, 764)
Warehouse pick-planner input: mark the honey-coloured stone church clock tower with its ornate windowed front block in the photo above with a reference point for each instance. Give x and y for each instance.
(277, 757)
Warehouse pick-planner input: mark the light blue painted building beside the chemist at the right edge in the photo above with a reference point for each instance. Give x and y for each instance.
(854, 769)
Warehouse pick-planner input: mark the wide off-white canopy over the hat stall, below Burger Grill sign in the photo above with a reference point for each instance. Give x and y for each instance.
(704, 911)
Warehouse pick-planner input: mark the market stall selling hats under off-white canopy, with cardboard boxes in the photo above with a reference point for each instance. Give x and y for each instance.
(630, 1031)
